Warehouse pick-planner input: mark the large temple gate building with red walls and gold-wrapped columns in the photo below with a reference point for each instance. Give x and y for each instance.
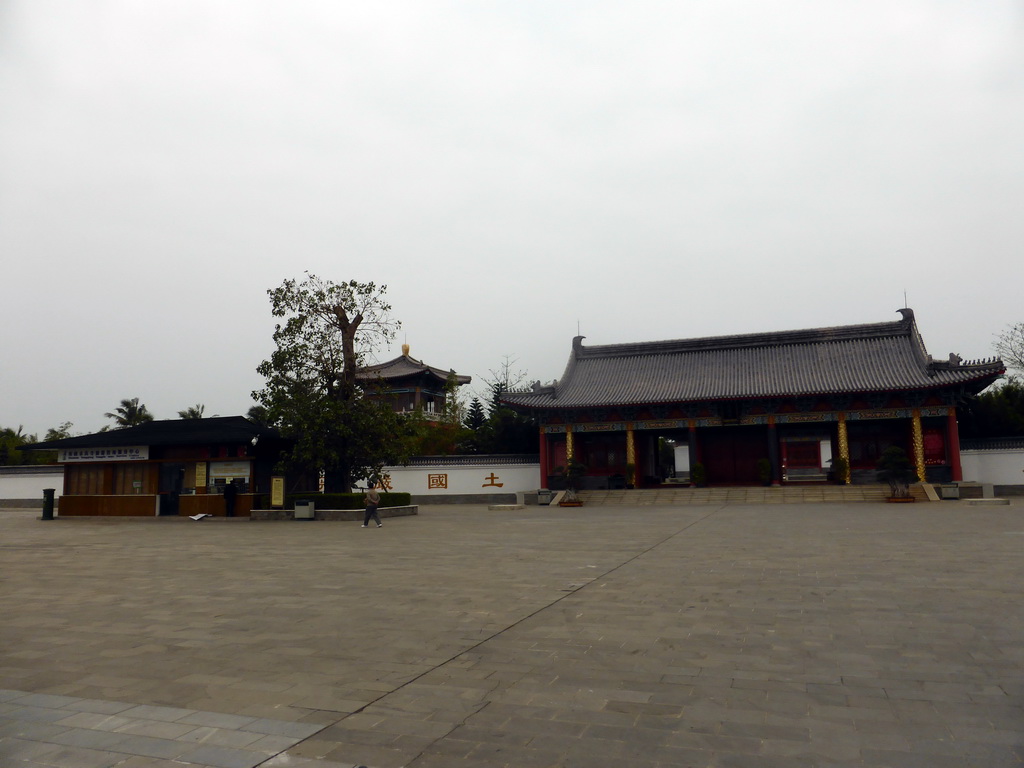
(778, 407)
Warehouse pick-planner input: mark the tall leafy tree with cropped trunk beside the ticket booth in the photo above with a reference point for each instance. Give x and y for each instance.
(312, 394)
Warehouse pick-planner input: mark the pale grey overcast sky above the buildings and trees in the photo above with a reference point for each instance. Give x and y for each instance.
(648, 170)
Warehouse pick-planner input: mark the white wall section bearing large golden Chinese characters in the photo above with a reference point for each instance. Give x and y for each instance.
(465, 481)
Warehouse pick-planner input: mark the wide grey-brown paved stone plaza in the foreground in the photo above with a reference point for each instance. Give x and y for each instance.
(729, 636)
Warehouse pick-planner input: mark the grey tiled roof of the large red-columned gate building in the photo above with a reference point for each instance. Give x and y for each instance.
(882, 357)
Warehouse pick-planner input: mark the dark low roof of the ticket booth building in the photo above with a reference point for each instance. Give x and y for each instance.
(225, 430)
